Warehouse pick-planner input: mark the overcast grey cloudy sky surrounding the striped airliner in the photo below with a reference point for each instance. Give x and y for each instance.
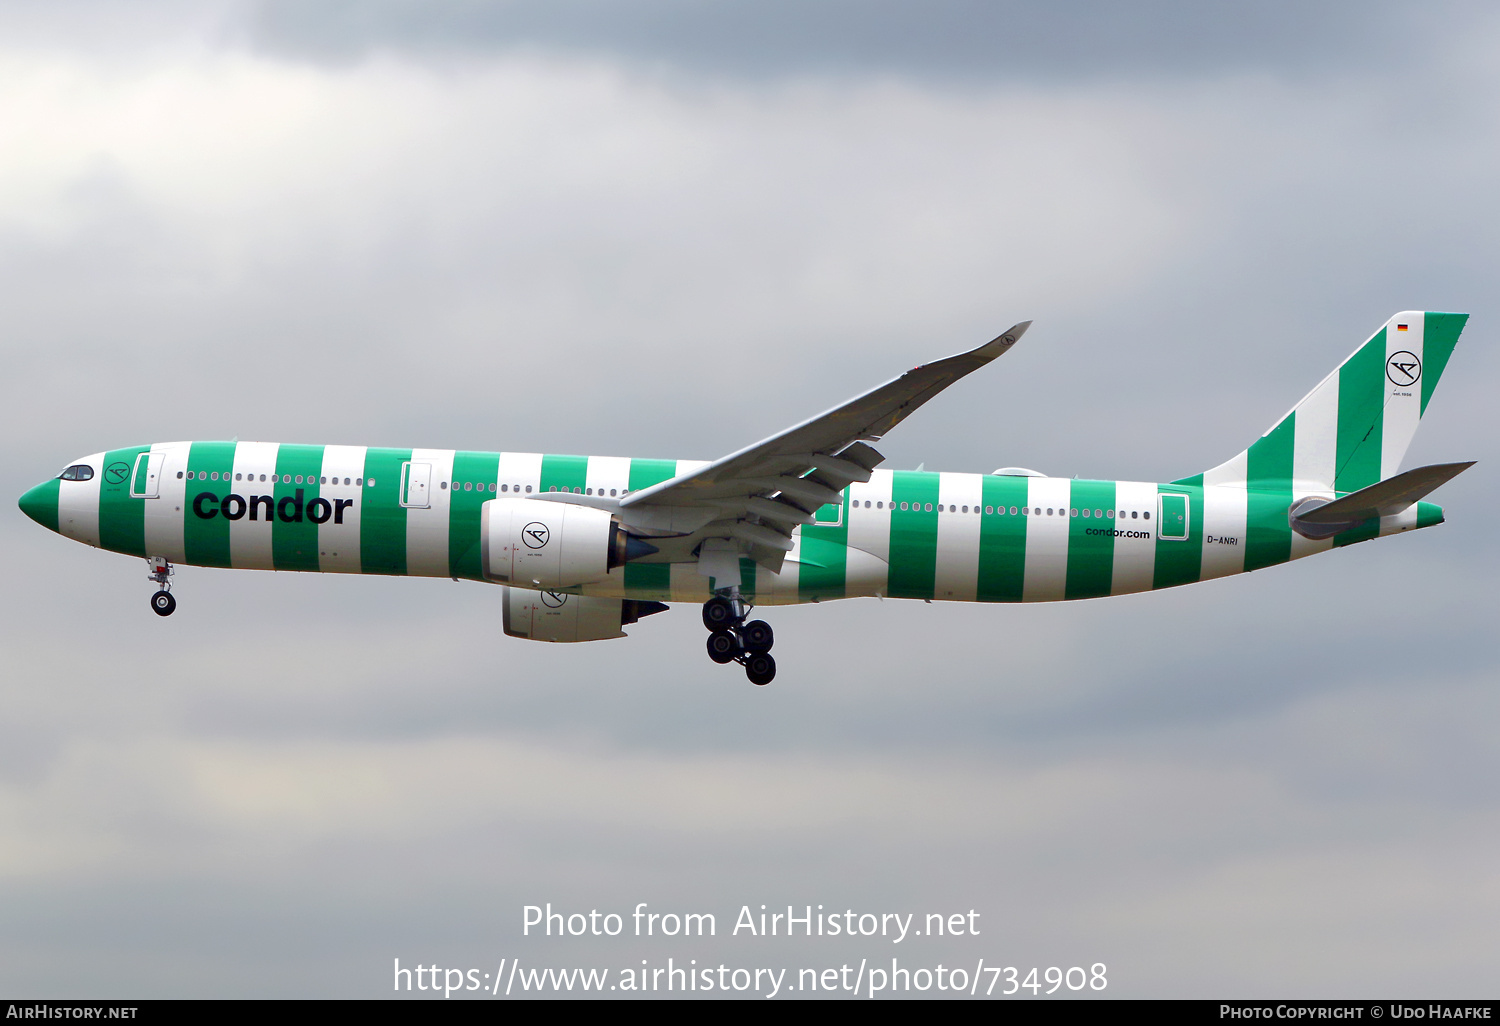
(670, 229)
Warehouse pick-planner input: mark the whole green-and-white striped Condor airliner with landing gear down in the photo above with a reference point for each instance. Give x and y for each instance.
(584, 547)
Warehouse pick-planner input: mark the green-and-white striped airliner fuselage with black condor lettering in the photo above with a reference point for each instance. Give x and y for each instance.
(902, 535)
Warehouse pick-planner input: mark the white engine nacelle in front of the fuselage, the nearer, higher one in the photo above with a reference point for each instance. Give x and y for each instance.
(553, 545)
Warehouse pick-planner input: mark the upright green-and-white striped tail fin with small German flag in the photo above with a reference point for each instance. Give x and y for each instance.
(1355, 427)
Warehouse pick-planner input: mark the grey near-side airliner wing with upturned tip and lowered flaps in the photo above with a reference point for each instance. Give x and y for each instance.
(760, 494)
